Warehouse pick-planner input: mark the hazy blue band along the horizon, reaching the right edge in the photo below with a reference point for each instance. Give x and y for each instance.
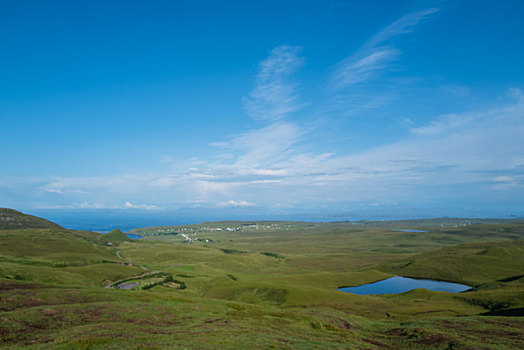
(105, 220)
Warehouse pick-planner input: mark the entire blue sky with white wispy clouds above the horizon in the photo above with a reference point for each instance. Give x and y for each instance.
(324, 106)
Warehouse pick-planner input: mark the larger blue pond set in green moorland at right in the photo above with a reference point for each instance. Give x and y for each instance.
(399, 284)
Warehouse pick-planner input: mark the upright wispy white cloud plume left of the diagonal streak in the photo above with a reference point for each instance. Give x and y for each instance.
(253, 153)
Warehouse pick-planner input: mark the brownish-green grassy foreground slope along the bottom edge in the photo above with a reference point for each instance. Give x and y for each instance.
(99, 319)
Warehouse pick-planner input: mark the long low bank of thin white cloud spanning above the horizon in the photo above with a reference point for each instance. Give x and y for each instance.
(476, 152)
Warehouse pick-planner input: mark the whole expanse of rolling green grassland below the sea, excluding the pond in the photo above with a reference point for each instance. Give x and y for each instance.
(265, 284)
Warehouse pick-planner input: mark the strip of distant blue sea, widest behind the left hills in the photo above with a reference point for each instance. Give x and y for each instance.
(105, 221)
